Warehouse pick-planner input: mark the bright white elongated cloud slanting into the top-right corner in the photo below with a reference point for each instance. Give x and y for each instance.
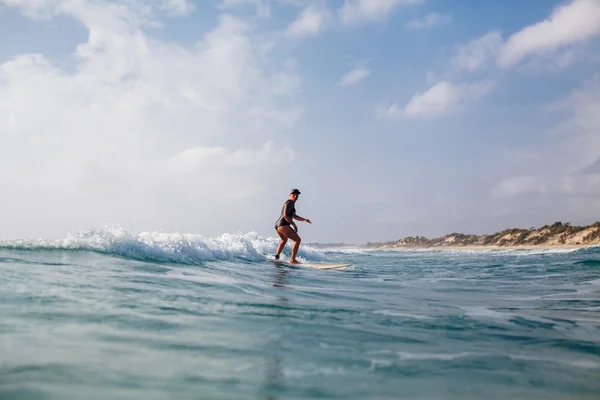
(571, 23)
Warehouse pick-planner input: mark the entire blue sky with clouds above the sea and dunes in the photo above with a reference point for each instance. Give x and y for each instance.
(393, 117)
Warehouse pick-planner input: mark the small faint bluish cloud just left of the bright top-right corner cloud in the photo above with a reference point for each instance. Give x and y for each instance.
(479, 52)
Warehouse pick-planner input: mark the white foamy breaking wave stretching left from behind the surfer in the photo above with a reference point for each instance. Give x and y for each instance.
(181, 248)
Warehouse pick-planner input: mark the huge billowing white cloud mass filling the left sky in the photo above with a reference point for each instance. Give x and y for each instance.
(99, 135)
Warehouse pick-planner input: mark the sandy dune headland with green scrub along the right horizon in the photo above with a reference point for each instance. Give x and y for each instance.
(558, 234)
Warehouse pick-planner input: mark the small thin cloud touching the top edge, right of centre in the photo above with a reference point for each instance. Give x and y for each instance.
(355, 12)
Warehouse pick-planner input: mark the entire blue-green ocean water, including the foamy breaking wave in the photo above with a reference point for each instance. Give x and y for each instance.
(108, 315)
